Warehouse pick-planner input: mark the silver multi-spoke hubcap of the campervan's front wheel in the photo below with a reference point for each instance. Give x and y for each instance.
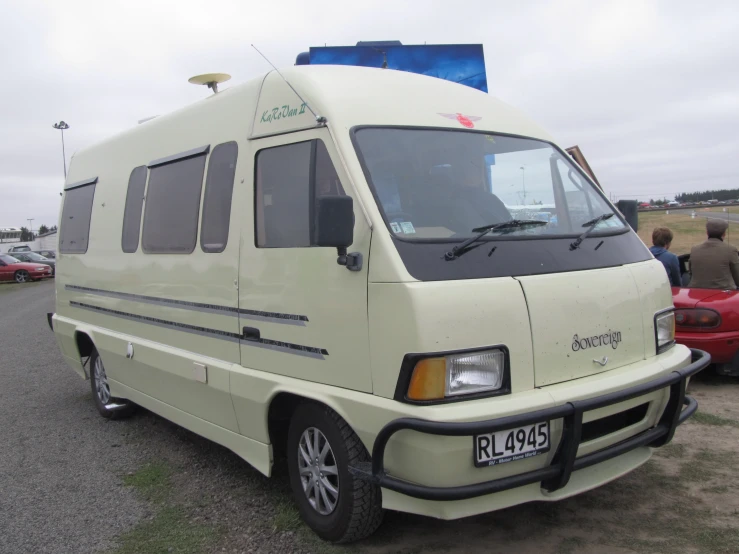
(319, 473)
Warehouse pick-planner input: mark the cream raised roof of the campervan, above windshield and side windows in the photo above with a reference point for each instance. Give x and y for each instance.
(347, 96)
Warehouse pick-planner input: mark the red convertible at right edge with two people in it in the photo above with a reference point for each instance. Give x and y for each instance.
(708, 319)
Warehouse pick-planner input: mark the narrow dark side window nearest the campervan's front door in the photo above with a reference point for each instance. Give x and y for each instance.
(217, 199)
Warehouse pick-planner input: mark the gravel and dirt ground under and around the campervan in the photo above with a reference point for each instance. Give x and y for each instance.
(62, 469)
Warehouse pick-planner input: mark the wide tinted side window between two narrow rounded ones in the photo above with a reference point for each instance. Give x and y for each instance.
(173, 205)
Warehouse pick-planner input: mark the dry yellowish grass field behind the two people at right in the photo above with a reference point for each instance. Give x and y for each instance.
(687, 231)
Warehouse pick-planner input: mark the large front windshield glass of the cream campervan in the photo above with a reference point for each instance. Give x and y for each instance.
(437, 184)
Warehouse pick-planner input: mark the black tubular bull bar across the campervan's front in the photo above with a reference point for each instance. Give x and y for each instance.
(556, 475)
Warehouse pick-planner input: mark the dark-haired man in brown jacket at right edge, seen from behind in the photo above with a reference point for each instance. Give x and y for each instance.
(714, 264)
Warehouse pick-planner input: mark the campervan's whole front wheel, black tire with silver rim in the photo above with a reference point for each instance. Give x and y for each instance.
(357, 510)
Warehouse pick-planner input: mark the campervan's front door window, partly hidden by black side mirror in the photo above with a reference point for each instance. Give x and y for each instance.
(288, 179)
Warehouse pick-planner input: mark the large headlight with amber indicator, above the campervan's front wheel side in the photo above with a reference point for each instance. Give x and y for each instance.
(458, 374)
